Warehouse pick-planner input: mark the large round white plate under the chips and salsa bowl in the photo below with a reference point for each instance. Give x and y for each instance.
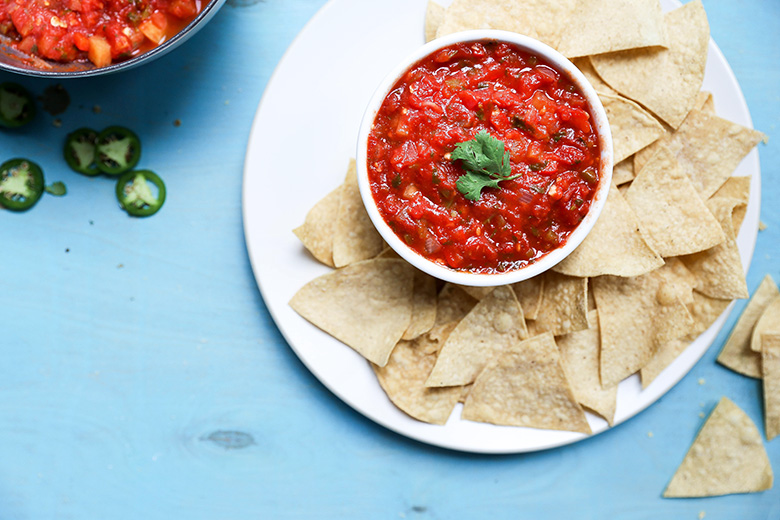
(303, 135)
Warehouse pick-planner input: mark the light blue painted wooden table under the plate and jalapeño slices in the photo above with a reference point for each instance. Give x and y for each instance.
(142, 376)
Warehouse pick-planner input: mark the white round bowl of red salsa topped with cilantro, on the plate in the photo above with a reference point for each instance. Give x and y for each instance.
(484, 158)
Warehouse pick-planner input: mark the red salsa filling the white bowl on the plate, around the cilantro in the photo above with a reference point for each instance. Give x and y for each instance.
(446, 99)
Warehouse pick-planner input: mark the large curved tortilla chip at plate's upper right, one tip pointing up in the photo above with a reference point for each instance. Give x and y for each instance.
(665, 81)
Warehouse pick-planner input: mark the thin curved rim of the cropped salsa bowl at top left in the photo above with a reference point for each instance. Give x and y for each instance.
(205, 14)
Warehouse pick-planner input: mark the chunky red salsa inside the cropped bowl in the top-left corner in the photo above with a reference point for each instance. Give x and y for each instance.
(101, 31)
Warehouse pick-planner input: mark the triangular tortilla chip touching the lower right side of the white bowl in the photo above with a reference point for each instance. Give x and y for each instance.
(614, 246)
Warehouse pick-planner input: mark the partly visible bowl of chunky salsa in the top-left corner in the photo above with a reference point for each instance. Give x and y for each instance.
(90, 37)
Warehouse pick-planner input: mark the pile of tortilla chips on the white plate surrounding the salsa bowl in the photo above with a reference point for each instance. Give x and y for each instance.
(658, 268)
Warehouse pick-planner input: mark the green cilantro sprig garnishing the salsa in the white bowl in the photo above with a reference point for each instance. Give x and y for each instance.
(486, 163)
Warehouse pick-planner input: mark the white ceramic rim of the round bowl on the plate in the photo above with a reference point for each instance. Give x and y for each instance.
(559, 62)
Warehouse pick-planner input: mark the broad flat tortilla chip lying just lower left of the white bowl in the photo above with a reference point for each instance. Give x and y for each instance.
(367, 305)
